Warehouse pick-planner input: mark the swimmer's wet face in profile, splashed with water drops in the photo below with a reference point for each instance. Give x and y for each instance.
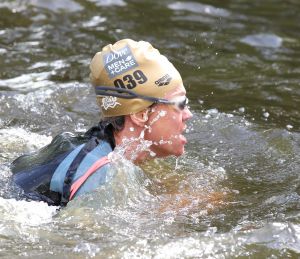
(166, 125)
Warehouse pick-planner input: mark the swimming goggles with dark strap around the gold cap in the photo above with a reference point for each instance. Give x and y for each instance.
(180, 102)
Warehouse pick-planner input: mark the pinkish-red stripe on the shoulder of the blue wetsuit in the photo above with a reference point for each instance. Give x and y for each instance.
(81, 180)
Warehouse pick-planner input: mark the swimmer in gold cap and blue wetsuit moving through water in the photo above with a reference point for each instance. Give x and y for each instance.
(141, 96)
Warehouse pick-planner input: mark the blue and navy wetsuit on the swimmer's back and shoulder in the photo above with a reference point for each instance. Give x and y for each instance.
(51, 181)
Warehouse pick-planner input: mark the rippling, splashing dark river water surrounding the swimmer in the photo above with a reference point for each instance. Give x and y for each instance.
(236, 191)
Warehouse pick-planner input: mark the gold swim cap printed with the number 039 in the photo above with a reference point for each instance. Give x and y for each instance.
(135, 66)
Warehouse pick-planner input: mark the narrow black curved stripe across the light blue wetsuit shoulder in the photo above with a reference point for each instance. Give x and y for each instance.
(88, 147)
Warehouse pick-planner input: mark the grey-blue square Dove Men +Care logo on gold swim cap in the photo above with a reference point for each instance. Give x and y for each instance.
(118, 62)
